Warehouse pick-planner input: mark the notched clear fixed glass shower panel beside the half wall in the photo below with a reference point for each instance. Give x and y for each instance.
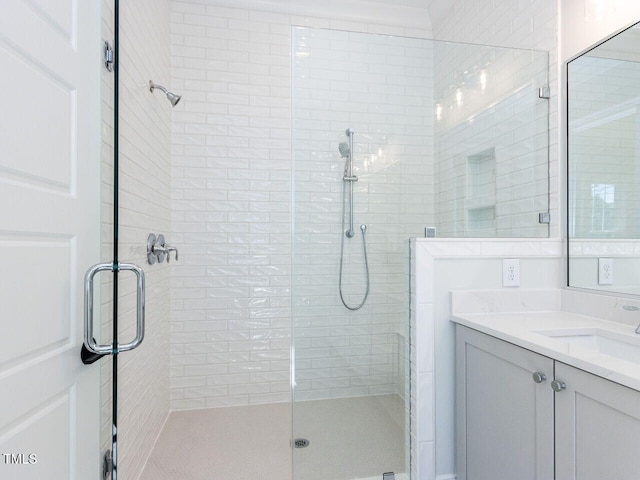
(446, 135)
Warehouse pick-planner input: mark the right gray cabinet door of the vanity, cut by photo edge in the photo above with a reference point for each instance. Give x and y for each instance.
(597, 428)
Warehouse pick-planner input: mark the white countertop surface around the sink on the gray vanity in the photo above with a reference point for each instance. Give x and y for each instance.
(520, 328)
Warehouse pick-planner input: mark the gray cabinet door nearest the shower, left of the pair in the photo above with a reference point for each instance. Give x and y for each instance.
(504, 418)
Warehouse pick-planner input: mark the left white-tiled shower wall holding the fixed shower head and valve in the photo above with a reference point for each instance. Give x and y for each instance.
(145, 168)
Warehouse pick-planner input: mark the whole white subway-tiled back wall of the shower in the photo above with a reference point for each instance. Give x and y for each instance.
(231, 197)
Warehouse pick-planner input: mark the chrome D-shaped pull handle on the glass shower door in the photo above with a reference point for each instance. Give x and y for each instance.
(89, 341)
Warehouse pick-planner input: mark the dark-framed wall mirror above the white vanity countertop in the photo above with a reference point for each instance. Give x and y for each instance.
(603, 170)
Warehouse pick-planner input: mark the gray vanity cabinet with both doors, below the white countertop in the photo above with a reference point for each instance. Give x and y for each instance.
(506, 427)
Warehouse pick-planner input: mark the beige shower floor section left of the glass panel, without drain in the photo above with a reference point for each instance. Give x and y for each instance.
(230, 443)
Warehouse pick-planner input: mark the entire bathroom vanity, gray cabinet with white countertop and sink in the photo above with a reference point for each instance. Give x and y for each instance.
(537, 397)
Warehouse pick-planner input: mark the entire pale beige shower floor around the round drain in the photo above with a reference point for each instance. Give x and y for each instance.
(349, 438)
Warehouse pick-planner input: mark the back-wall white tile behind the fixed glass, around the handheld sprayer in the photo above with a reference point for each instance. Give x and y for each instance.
(380, 87)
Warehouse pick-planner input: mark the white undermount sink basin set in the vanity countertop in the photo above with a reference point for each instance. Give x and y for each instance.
(615, 344)
